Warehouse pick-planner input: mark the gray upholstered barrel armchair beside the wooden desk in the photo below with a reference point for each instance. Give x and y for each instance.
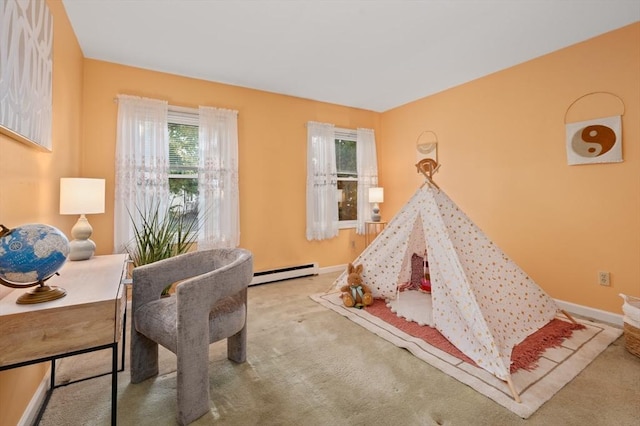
(210, 304)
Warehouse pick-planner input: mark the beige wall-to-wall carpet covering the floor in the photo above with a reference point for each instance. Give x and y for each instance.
(309, 366)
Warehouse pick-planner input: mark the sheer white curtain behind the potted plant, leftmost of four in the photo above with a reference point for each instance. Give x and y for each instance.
(142, 162)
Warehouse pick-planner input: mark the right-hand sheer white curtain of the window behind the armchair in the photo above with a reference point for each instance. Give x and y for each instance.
(218, 179)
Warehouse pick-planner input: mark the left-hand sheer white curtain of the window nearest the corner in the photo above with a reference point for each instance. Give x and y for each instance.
(322, 181)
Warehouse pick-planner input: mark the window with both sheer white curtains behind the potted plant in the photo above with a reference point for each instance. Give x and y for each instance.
(181, 159)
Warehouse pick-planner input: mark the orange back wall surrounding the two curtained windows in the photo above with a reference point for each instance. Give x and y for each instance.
(272, 151)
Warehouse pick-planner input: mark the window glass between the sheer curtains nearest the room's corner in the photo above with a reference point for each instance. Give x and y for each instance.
(346, 166)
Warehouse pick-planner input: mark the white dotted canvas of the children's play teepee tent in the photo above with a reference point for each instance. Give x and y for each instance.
(482, 301)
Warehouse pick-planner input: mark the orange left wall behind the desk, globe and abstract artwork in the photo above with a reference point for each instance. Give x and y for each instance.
(29, 184)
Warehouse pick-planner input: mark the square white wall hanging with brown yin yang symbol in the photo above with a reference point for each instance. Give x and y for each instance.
(594, 141)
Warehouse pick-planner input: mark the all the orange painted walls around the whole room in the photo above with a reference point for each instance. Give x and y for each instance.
(501, 146)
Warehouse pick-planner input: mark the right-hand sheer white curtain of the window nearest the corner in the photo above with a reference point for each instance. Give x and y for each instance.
(367, 163)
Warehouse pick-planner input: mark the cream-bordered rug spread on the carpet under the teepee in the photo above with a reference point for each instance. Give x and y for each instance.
(535, 384)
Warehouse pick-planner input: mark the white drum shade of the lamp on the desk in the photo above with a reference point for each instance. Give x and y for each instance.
(81, 196)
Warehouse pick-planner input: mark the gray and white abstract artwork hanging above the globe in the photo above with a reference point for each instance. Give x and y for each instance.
(26, 67)
